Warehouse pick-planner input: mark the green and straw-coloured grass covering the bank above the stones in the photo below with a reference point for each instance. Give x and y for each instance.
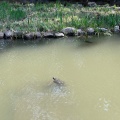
(55, 16)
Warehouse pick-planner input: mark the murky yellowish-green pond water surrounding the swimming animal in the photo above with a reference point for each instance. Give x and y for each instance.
(91, 72)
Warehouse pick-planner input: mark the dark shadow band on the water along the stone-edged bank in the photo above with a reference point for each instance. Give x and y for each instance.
(82, 42)
